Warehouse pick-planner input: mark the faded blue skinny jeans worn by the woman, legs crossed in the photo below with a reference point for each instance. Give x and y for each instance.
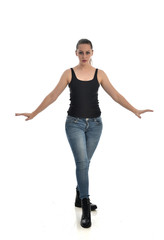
(83, 135)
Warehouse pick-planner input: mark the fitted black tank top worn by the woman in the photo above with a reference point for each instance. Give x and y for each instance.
(84, 97)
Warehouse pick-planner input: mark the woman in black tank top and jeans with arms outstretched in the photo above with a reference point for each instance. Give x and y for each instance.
(83, 124)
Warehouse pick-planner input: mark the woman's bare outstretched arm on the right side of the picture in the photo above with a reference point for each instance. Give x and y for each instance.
(107, 86)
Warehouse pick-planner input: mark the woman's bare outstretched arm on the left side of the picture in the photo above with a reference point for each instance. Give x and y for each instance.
(50, 98)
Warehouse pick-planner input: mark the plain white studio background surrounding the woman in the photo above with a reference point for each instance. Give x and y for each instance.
(37, 172)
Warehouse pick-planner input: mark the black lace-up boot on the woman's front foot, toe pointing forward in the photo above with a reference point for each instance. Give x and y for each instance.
(86, 213)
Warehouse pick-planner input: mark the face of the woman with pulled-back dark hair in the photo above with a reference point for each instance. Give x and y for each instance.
(84, 53)
